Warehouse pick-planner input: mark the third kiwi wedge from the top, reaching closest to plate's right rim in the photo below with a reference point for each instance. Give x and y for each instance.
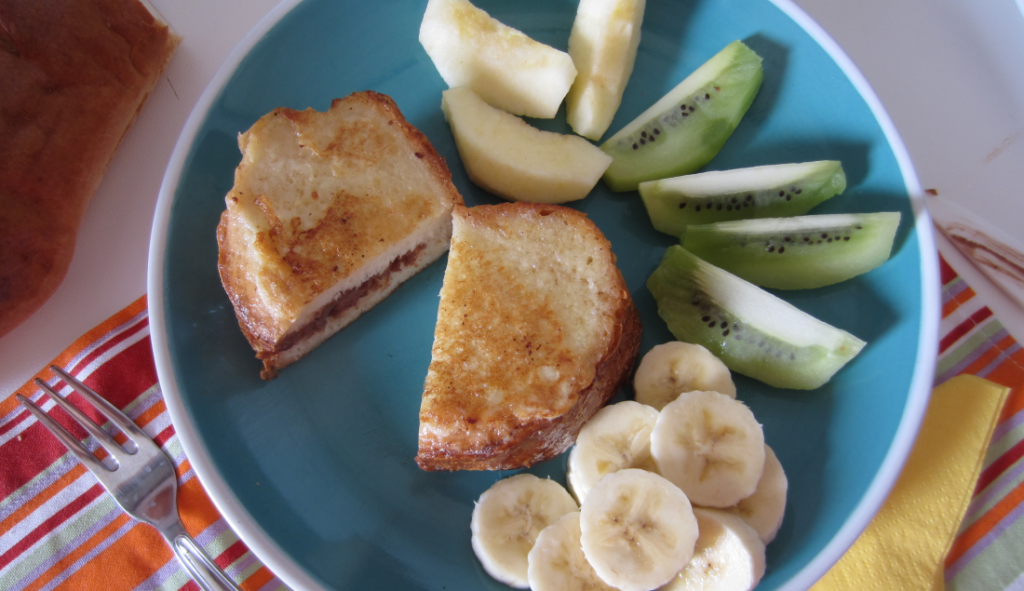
(799, 252)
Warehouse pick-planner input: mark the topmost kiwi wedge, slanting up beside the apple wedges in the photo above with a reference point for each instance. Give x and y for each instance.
(689, 126)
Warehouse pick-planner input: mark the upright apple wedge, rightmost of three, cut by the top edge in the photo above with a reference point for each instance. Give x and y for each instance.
(604, 46)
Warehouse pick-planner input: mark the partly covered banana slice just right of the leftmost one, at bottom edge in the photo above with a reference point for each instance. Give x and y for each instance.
(558, 562)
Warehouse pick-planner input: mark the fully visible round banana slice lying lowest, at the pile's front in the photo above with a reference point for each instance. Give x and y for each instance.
(637, 530)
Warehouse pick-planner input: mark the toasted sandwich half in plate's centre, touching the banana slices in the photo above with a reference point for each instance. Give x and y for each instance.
(536, 331)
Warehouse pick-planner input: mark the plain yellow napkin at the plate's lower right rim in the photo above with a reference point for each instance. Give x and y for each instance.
(907, 543)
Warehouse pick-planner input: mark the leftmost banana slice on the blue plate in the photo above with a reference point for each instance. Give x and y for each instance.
(507, 519)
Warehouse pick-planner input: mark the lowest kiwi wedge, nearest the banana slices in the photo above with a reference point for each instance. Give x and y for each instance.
(751, 330)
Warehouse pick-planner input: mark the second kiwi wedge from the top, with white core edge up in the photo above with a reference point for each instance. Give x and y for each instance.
(773, 191)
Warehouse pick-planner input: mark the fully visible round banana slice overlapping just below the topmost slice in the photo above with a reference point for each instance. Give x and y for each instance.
(711, 447)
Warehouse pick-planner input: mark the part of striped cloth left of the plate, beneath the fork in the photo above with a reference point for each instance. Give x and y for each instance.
(59, 528)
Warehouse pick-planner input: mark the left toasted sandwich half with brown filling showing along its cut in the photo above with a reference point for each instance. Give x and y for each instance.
(330, 213)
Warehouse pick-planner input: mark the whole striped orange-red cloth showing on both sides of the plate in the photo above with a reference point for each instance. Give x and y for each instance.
(59, 530)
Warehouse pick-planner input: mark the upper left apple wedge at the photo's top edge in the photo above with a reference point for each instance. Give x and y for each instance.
(505, 67)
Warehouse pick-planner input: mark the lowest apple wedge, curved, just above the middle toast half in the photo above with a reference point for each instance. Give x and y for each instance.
(508, 157)
